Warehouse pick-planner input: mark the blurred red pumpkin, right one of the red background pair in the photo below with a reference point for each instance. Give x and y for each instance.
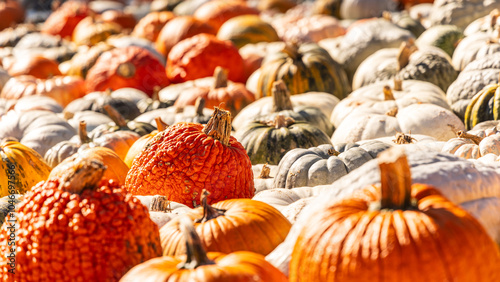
(199, 55)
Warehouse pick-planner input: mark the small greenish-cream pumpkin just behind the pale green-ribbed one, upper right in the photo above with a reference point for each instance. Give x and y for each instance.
(445, 37)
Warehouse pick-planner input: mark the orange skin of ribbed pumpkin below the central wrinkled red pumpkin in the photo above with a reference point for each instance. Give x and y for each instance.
(246, 225)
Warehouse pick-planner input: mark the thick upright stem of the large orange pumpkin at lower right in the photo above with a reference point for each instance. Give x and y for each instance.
(395, 179)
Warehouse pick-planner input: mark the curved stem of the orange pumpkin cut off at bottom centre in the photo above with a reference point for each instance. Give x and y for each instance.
(195, 254)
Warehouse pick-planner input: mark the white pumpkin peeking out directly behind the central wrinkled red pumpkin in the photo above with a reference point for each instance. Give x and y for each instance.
(172, 115)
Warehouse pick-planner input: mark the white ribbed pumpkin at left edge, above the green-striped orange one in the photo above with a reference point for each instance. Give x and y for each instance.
(37, 129)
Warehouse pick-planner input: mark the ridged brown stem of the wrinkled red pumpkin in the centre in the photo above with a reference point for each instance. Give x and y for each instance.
(219, 126)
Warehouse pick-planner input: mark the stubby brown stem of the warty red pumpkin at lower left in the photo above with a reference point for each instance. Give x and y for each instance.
(84, 174)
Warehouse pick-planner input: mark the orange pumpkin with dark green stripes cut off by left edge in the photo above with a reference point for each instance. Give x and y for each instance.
(21, 168)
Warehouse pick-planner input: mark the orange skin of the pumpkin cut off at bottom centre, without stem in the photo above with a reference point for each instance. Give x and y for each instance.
(234, 267)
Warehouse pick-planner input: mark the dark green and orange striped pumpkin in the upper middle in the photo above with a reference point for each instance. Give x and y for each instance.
(311, 69)
